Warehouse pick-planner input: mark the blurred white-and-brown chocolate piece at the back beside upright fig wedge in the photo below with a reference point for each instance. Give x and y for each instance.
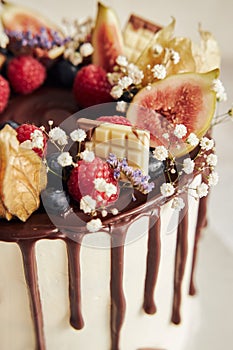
(137, 35)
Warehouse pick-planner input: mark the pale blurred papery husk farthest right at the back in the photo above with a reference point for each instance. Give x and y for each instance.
(207, 53)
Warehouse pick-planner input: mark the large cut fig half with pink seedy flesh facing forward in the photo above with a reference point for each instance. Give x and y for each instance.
(186, 98)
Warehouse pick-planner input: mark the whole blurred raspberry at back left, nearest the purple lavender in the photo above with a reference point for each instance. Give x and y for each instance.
(26, 74)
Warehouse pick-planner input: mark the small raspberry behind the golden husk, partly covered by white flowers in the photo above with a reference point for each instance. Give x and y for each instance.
(24, 133)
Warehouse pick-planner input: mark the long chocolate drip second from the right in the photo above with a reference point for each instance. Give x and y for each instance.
(180, 261)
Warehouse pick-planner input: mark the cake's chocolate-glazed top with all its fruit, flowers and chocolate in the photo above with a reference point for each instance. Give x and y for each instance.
(144, 101)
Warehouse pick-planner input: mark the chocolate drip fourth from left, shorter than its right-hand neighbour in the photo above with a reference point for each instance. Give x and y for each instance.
(153, 262)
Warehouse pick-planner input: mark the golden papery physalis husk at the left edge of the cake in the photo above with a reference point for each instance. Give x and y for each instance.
(22, 176)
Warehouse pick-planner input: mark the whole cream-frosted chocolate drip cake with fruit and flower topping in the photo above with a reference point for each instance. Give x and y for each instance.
(109, 267)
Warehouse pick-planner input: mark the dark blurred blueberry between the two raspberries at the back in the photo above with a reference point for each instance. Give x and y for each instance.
(63, 73)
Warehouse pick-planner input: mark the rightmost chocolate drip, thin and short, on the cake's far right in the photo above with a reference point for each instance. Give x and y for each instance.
(201, 223)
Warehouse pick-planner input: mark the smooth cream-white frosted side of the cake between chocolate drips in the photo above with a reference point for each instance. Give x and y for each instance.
(95, 296)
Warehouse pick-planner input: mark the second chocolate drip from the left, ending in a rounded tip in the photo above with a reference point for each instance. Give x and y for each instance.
(73, 252)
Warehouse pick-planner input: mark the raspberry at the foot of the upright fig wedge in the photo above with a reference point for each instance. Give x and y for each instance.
(91, 86)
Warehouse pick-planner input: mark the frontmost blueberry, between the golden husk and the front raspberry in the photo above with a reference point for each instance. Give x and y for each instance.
(55, 201)
